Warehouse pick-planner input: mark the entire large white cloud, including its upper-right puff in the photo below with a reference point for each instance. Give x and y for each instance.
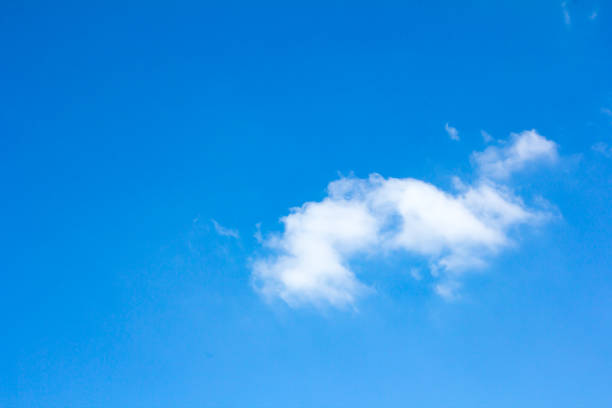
(454, 232)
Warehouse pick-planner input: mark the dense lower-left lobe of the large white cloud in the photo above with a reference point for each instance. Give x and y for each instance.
(310, 264)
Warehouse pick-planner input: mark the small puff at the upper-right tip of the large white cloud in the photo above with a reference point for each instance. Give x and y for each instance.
(525, 148)
